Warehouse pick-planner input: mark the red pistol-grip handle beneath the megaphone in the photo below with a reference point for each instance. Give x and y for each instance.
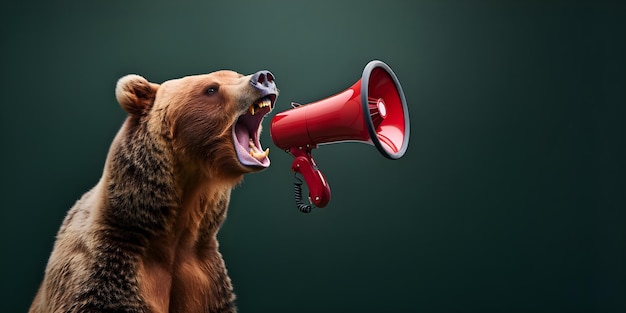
(319, 190)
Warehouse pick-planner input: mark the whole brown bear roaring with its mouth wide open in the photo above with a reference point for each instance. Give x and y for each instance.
(143, 239)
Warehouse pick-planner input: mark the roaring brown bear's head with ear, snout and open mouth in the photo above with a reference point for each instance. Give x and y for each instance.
(210, 122)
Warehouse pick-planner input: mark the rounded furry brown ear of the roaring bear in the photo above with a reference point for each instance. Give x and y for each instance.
(135, 94)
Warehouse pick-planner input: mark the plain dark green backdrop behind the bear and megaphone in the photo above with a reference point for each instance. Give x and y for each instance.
(510, 198)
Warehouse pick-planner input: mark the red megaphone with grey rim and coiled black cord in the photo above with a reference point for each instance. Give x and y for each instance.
(372, 111)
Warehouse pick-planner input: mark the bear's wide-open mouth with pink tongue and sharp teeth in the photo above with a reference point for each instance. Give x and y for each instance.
(247, 130)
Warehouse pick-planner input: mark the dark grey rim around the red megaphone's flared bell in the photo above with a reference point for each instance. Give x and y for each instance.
(367, 71)
